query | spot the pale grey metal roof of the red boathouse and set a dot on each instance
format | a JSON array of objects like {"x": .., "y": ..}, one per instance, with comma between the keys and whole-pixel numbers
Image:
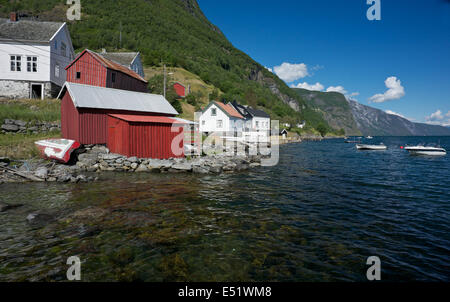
[{"x": 86, "y": 96}]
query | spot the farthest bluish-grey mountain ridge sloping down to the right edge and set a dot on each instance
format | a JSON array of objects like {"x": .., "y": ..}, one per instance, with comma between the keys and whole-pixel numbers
[{"x": 372, "y": 121}]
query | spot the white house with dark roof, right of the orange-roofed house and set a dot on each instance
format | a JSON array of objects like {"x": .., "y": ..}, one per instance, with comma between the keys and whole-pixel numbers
[{"x": 257, "y": 123}]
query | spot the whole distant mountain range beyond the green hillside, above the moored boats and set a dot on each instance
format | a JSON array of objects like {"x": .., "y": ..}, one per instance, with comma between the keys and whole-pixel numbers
[{"x": 357, "y": 119}]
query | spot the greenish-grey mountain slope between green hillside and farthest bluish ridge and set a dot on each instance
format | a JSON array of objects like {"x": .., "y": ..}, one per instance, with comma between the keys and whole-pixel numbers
[{"x": 334, "y": 107}]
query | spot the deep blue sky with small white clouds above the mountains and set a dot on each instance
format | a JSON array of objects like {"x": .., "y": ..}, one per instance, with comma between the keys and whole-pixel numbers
[{"x": 334, "y": 44}]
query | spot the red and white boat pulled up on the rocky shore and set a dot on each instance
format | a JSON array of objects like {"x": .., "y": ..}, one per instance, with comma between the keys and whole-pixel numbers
[{"x": 58, "y": 149}]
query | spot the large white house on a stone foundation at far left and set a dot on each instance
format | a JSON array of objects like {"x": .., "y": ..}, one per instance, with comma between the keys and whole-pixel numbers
[{"x": 33, "y": 56}]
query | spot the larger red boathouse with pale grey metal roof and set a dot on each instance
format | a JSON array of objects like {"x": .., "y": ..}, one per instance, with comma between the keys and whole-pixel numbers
[{"x": 84, "y": 110}]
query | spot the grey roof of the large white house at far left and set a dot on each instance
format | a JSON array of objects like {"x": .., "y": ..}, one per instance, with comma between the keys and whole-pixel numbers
[{"x": 27, "y": 30}]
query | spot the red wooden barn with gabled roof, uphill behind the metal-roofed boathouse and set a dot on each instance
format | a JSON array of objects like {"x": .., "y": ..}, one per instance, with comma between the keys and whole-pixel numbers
[{"x": 91, "y": 68}]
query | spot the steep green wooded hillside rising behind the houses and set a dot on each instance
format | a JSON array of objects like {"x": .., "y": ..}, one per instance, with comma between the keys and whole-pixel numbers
[{"x": 176, "y": 33}]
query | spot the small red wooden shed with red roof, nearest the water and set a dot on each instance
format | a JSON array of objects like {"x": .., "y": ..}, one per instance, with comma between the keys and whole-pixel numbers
[{"x": 145, "y": 136}]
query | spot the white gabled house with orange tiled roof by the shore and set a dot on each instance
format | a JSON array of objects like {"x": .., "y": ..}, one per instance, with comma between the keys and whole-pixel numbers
[{"x": 218, "y": 117}]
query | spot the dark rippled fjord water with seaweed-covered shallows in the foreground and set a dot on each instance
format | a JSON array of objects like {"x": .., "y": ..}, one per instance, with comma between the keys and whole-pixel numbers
[{"x": 317, "y": 216}]
